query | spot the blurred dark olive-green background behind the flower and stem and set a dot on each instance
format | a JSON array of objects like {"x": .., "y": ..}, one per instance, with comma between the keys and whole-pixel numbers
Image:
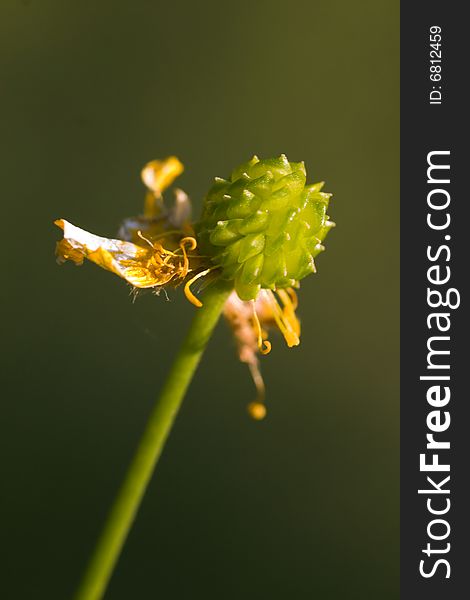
[{"x": 302, "y": 505}]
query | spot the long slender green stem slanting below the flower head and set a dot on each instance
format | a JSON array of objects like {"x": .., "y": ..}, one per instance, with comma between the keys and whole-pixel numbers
[{"x": 149, "y": 450}]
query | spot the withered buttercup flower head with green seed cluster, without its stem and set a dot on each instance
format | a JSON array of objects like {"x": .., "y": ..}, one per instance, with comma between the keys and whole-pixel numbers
[{"x": 260, "y": 229}]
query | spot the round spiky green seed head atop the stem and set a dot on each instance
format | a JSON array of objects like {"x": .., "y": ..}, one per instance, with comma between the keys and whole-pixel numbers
[{"x": 264, "y": 226}]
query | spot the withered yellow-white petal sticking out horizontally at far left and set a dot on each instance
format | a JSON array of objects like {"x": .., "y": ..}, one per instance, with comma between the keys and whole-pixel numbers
[{"x": 142, "y": 266}]
